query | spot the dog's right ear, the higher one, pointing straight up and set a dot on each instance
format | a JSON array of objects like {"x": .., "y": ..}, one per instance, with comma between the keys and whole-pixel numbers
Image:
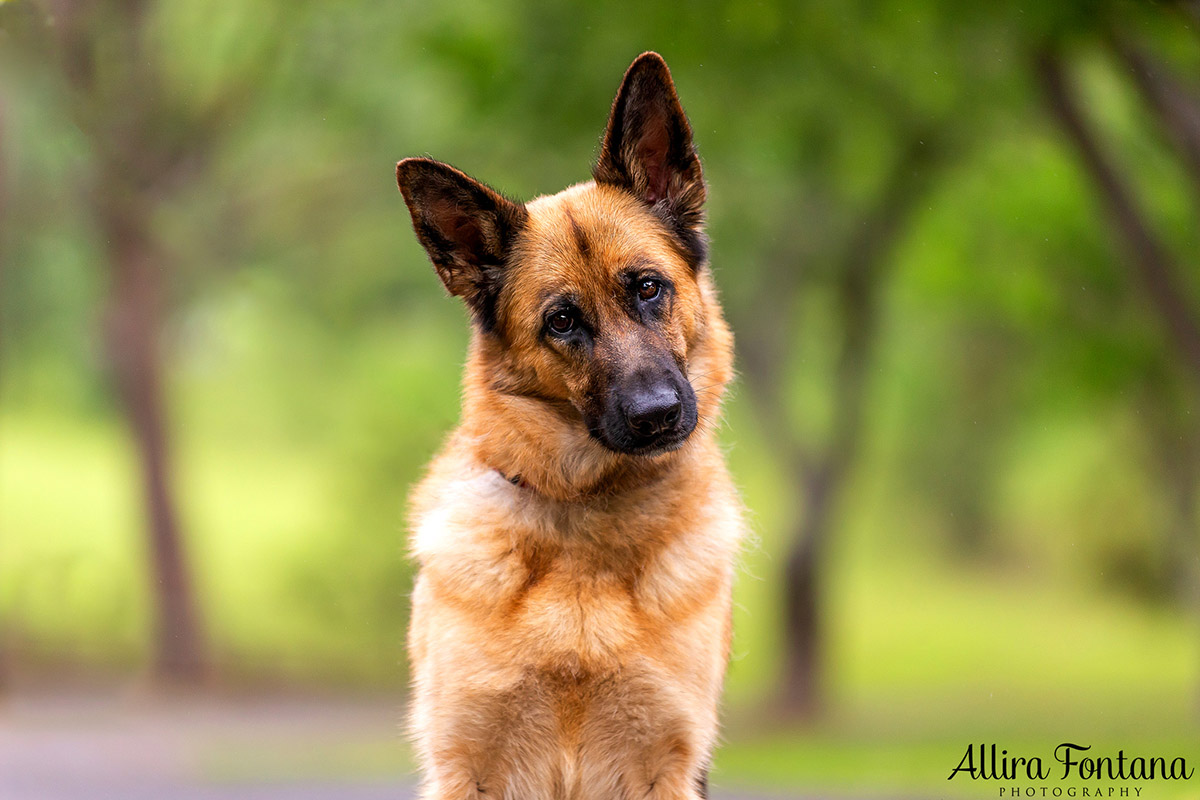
[{"x": 647, "y": 149}]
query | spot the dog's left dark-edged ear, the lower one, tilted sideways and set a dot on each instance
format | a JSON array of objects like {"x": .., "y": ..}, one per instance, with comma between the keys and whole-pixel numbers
[{"x": 466, "y": 228}]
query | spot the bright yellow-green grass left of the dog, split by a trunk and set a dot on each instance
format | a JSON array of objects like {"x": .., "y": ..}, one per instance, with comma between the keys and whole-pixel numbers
[{"x": 74, "y": 581}]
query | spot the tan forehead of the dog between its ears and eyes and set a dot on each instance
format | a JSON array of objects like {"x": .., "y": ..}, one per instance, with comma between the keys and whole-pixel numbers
[{"x": 585, "y": 238}]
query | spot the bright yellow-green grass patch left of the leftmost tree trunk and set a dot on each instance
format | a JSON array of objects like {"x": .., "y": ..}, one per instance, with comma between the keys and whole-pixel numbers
[{"x": 70, "y": 578}]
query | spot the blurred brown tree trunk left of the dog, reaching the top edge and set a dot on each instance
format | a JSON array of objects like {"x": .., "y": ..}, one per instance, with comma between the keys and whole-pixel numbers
[{"x": 141, "y": 158}]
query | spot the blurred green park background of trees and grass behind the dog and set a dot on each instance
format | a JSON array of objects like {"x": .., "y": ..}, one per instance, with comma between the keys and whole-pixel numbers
[{"x": 958, "y": 244}]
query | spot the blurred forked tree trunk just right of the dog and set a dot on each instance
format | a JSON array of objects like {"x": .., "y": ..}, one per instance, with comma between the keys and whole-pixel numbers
[{"x": 821, "y": 472}]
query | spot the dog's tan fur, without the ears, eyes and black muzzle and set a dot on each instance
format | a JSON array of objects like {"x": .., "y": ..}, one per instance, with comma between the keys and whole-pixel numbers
[{"x": 571, "y": 635}]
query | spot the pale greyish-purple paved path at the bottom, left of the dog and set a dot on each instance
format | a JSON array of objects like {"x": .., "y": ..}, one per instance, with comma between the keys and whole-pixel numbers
[{"x": 87, "y": 747}]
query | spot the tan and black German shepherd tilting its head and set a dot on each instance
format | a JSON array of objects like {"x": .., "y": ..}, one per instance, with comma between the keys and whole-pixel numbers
[{"x": 578, "y": 533}]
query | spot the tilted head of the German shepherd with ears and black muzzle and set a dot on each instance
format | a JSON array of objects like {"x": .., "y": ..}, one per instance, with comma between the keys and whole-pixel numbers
[{"x": 591, "y": 302}]
